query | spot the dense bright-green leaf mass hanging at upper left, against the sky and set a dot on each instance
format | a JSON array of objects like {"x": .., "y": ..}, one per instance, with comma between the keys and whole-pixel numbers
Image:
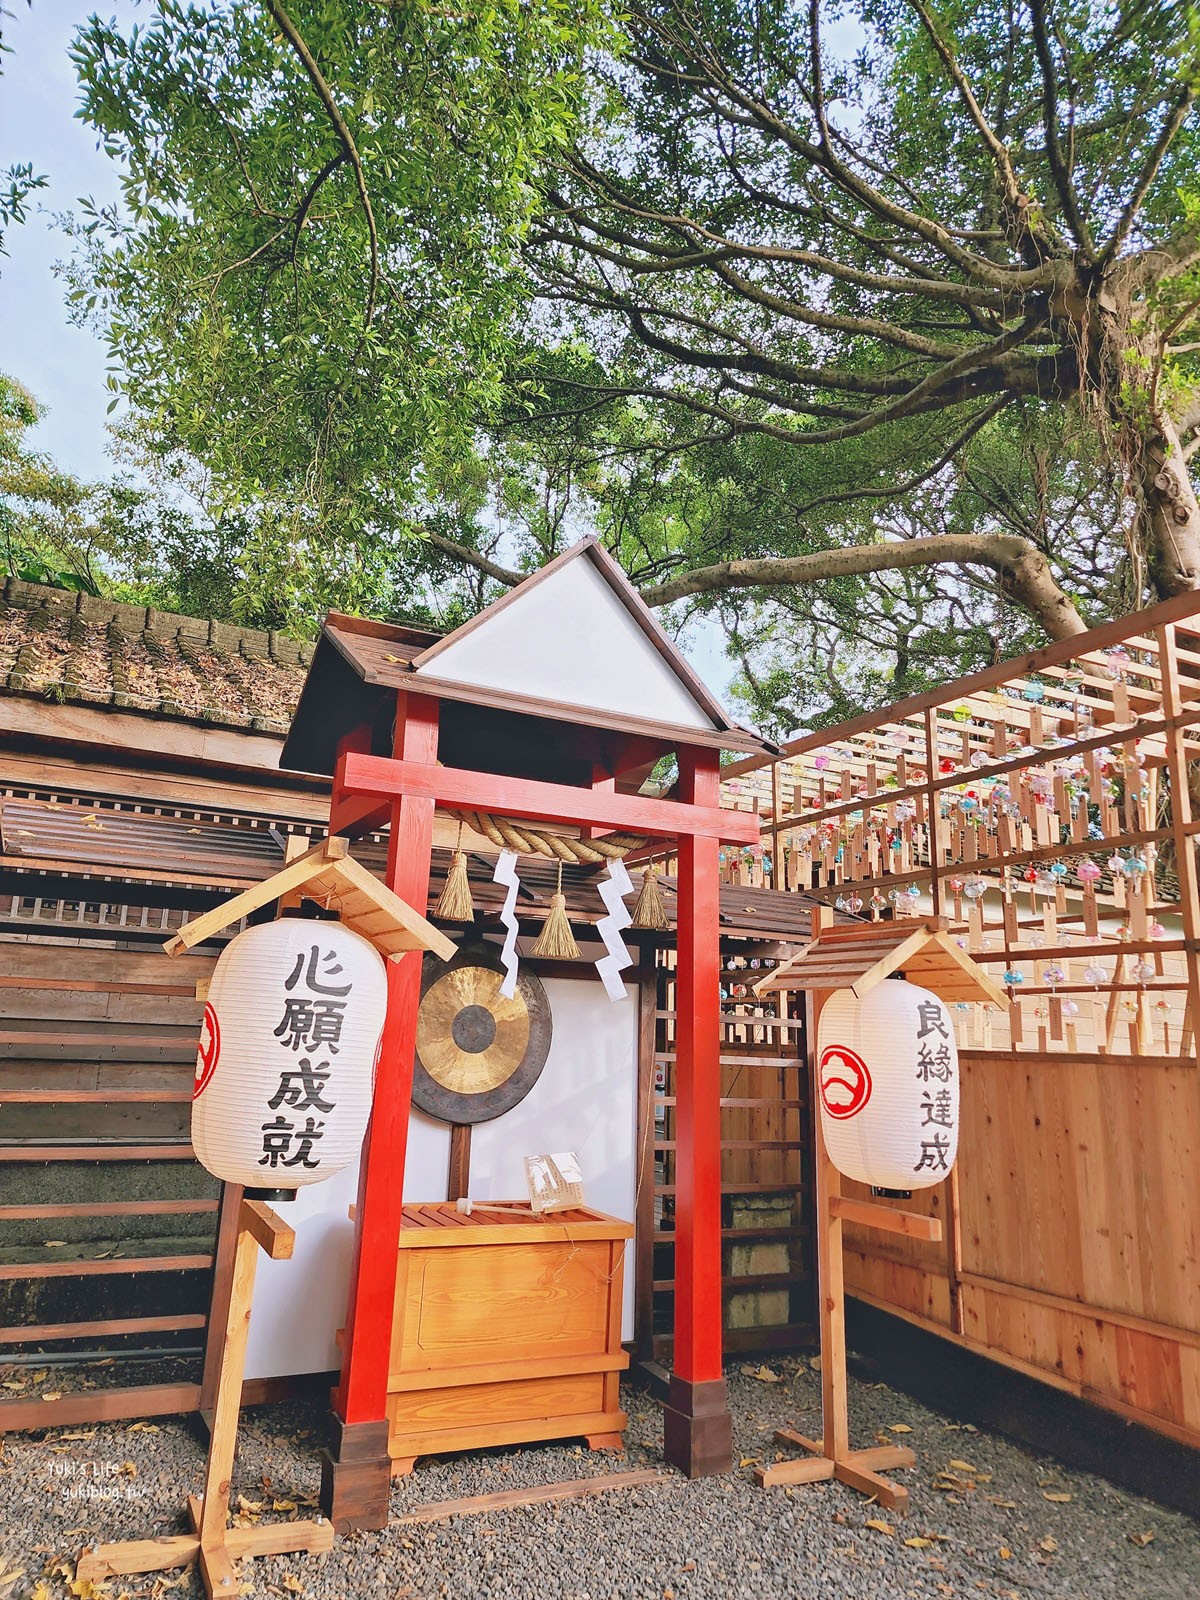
[{"x": 311, "y": 282}]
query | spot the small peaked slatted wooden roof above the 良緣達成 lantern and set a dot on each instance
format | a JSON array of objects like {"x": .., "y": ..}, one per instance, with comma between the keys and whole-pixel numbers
[{"x": 862, "y": 956}]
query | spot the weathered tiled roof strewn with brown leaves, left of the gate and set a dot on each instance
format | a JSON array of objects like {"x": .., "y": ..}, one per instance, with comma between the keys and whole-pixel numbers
[{"x": 81, "y": 649}]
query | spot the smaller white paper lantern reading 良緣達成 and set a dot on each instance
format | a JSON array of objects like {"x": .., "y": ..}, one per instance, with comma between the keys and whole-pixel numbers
[{"x": 889, "y": 1086}]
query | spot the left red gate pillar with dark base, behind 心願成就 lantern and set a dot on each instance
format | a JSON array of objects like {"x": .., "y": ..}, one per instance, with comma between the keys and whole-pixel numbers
[{"x": 356, "y": 1474}]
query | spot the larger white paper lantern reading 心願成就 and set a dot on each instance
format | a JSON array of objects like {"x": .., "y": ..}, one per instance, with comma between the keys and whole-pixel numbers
[{"x": 287, "y": 1058}]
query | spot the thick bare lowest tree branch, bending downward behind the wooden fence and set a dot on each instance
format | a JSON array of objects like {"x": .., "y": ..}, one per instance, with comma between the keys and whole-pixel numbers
[{"x": 1022, "y": 569}]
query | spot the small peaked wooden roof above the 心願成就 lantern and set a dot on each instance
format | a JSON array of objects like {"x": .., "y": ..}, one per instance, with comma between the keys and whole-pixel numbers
[{"x": 332, "y": 878}]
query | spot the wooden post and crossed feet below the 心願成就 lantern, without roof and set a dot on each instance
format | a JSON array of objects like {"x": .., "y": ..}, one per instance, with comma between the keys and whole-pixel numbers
[{"x": 212, "y": 1540}]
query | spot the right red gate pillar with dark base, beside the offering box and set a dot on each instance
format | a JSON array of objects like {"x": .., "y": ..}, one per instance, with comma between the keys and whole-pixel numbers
[{"x": 698, "y": 1430}]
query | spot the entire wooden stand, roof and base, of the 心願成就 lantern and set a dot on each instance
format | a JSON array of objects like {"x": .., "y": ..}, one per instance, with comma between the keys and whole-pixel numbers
[{"x": 329, "y": 874}]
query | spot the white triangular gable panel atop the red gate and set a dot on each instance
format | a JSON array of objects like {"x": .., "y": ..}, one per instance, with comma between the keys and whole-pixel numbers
[{"x": 570, "y": 639}]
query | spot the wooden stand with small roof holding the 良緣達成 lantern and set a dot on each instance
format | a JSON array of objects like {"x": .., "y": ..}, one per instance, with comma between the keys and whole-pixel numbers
[{"x": 858, "y": 958}]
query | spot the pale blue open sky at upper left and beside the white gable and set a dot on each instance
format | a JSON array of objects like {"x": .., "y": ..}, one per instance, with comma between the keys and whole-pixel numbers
[{"x": 62, "y": 364}]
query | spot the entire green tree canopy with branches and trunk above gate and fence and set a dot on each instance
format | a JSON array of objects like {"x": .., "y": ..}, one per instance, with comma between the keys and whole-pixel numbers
[{"x": 865, "y": 322}]
